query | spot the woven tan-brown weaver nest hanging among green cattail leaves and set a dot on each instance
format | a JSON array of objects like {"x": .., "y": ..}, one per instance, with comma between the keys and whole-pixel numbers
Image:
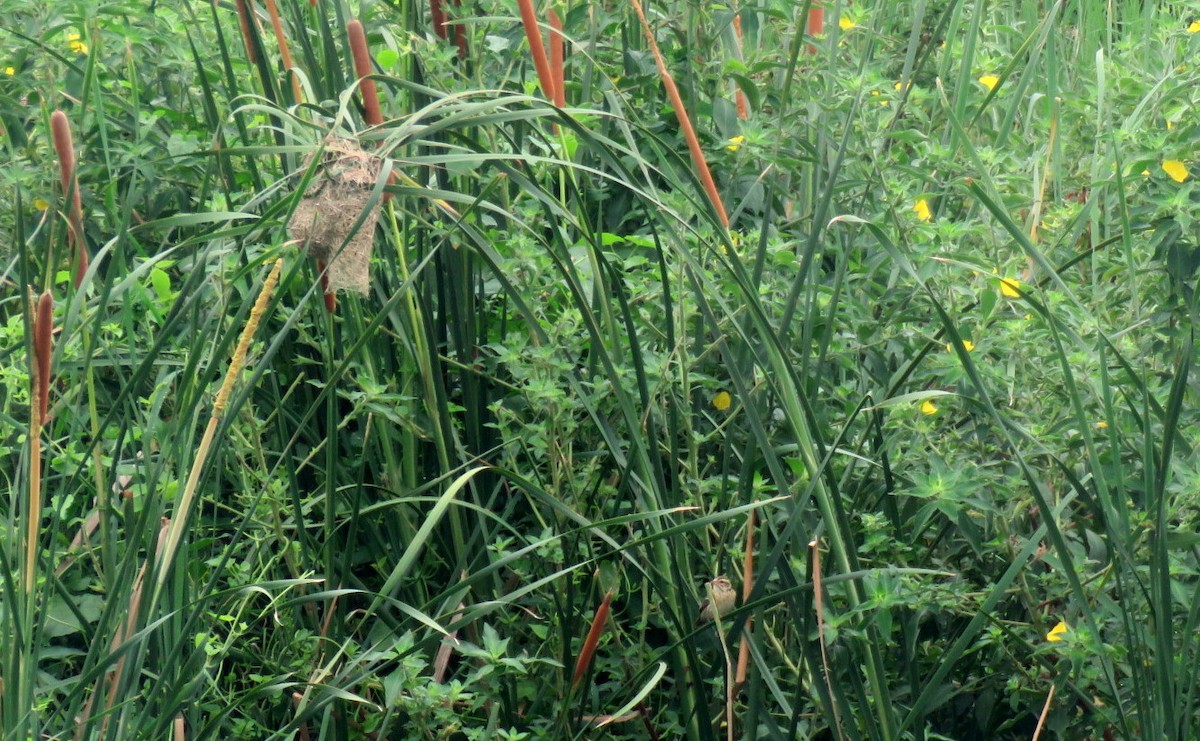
[{"x": 325, "y": 220}]
